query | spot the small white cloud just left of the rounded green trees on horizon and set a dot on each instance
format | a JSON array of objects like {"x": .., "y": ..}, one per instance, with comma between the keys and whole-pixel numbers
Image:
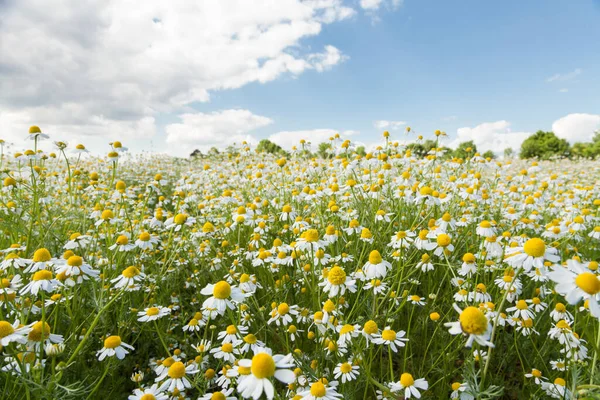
[{"x": 495, "y": 136}]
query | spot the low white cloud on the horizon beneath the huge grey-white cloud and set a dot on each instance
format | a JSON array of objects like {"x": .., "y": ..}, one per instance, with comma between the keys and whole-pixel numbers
[{"x": 219, "y": 129}]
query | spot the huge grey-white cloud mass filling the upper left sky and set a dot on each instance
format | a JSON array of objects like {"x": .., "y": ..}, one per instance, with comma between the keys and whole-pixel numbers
[{"x": 125, "y": 61}]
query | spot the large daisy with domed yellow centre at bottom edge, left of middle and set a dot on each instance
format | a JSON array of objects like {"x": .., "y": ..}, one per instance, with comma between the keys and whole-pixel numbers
[{"x": 262, "y": 367}]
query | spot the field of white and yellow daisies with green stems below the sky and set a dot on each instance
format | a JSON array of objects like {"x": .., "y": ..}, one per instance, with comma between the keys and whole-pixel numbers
[{"x": 246, "y": 275}]
